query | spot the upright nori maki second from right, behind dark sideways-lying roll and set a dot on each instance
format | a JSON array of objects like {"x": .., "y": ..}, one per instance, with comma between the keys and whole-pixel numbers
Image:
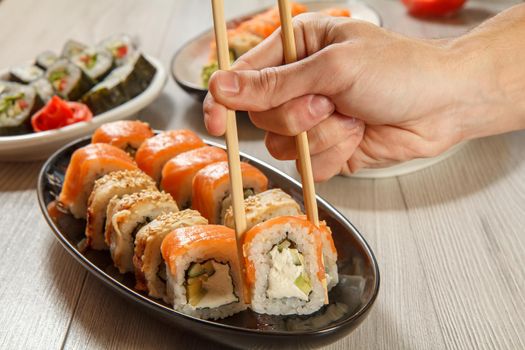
[{"x": 95, "y": 63}]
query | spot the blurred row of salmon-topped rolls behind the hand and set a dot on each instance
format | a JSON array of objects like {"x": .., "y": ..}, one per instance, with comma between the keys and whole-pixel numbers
[{"x": 245, "y": 35}]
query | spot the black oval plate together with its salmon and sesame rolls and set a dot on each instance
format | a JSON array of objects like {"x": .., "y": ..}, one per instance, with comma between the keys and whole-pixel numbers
[{"x": 149, "y": 213}]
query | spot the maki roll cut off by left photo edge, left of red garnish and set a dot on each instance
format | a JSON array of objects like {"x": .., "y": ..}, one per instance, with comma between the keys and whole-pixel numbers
[{"x": 17, "y": 103}]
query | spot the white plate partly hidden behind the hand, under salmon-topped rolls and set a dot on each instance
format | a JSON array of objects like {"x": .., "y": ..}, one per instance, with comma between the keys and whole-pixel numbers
[{"x": 187, "y": 63}]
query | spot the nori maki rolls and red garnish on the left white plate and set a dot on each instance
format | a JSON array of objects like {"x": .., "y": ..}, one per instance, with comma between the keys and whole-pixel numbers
[{"x": 58, "y": 90}]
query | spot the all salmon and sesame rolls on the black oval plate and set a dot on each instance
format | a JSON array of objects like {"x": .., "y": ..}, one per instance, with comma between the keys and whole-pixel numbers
[{"x": 160, "y": 203}]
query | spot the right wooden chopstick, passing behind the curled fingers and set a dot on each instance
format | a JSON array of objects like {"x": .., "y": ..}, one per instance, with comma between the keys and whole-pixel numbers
[{"x": 301, "y": 140}]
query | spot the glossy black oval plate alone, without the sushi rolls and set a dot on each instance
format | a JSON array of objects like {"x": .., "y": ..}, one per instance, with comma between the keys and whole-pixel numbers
[{"x": 350, "y": 300}]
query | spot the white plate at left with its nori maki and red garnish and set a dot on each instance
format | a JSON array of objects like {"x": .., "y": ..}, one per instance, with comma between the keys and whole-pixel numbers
[{"x": 58, "y": 97}]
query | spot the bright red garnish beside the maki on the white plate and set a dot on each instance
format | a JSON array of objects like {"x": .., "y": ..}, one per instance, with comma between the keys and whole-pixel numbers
[{"x": 58, "y": 113}]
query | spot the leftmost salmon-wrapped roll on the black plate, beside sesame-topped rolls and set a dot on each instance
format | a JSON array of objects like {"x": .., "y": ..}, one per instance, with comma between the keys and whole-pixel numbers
[{"x": 88, "y": 164}]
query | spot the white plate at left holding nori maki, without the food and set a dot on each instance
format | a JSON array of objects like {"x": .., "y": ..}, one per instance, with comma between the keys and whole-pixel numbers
[{"x": 40, "y": 145}]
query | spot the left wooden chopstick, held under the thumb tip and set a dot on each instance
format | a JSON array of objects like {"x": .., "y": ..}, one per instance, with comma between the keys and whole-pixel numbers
[{"x": 232, "y": 141}]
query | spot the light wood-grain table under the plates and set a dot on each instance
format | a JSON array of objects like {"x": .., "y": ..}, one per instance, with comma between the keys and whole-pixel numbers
[{"x": 450, "y": 239}]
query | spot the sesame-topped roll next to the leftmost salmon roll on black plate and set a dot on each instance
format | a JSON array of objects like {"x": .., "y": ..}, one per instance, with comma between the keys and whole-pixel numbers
[{"x": 113, "y": 185}]
